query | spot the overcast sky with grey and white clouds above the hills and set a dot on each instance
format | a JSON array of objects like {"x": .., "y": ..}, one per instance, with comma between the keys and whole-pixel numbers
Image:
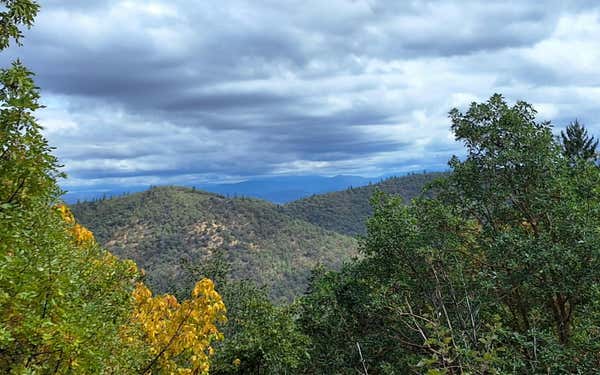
[{"x": 183, "y": 91}]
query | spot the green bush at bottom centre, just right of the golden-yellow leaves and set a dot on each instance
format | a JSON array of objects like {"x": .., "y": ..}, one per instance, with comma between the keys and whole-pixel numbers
[{"x": 259, "y": 337}]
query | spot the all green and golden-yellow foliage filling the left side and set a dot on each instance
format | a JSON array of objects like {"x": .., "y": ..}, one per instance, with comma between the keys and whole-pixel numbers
[{"x": 66, "y": 304}]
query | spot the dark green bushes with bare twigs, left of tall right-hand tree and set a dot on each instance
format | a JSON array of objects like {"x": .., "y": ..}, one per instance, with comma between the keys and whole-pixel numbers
[{"x": 396, "y": 302}]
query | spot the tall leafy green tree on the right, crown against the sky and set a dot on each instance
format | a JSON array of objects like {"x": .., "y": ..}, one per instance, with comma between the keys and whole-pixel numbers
[{"x": 535, "y": 210}]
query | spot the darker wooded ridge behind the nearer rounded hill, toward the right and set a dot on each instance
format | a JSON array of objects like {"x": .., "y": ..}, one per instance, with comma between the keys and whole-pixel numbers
[{"x": 347, "y": 211}]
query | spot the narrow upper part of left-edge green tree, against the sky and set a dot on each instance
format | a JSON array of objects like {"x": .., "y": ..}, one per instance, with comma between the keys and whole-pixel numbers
[{"x": 27, "y": 168}]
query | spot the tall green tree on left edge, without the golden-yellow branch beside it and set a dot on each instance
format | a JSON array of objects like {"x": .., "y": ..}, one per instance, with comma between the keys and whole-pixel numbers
[{"x": 62, "y": 300}]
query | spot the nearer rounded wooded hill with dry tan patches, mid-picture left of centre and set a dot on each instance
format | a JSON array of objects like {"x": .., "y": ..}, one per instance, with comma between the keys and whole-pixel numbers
[{"x": 164, "y": 228}]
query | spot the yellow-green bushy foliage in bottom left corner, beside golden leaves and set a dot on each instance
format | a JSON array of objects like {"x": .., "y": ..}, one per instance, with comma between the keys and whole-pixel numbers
[{"x": 62, "y": 301}]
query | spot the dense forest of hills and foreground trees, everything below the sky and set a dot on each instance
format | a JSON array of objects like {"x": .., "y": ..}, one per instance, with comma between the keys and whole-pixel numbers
[{"x": 493, "y": 268}]
